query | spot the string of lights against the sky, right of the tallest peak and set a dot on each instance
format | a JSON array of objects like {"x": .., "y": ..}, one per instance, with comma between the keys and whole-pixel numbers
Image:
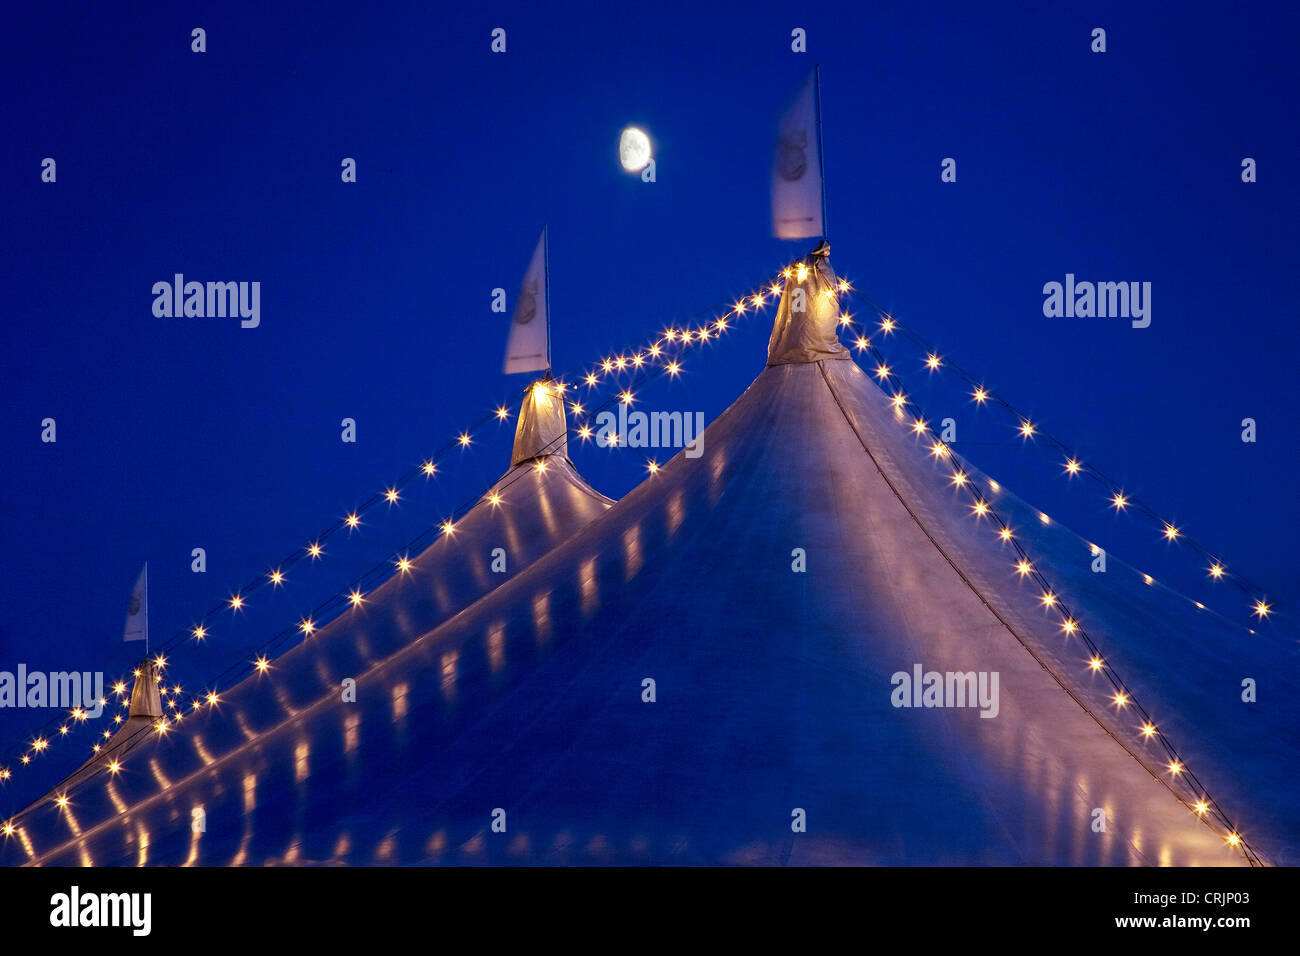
[{"x": 1030, "y": 431}]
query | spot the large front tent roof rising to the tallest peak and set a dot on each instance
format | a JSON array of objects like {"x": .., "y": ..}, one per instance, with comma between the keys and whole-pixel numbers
[{"x": 772, "y": 590}]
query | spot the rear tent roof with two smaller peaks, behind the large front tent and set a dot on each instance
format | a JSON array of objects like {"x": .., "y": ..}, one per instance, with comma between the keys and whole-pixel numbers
[{"x": 538, "y": 504}]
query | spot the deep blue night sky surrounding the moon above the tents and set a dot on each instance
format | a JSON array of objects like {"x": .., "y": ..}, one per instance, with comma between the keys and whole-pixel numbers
[{"x": 176, "y": 434}]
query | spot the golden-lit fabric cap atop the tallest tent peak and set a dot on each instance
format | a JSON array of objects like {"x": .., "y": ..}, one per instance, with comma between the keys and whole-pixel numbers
[{"x": 809, "y": 315}]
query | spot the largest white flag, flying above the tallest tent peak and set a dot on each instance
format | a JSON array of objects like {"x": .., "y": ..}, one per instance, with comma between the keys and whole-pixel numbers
[{"x": 798, "y": 171}]
